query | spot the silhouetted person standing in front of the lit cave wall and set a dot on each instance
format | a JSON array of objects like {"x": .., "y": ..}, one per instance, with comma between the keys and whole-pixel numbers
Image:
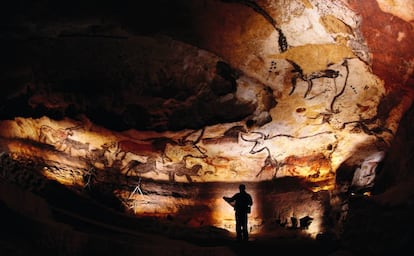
[{"x": 241, "y": 201}]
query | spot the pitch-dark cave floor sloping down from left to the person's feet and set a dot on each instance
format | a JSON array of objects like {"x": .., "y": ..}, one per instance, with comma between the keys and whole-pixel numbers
[{"x": 63, "y": 223}]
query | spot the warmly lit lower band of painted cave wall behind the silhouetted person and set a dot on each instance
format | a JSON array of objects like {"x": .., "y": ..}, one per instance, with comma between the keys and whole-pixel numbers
[{"x": 69, "y": 156}]
